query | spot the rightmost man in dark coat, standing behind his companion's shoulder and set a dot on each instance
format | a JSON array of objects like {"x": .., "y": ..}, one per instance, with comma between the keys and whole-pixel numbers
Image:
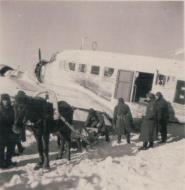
[{"x": 162, "y": 116}]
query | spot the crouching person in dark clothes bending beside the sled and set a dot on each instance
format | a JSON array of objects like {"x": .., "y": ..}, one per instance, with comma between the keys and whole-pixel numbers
[{"x": 96, "y": 120}]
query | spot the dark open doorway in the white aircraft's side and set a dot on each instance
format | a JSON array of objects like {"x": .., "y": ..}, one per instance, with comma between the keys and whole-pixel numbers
[{"x": 143, "y": 84}]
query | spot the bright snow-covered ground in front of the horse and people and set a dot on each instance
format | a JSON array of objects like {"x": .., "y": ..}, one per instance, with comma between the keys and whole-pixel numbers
[{"x": 105, "y": 166}]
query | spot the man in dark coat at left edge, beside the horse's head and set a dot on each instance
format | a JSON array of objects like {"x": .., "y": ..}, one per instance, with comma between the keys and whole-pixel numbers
[{"x": 7, "y": 137}]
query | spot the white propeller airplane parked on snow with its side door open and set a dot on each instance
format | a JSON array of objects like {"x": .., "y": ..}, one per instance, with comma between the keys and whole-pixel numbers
[{"x": 104, "y": 76}]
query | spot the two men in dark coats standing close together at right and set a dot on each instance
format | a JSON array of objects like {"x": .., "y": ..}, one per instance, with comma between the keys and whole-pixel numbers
[{"x": 155, "y": 120}]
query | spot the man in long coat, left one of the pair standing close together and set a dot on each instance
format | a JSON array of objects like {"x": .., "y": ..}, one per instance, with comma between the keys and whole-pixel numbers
[{"x": 148, "y": 127}]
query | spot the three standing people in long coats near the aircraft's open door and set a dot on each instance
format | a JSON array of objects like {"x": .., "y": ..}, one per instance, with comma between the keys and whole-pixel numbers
[{"x": 155, "y": 120}]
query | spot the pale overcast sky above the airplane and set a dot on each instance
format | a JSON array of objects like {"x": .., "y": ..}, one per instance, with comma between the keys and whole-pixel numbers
[{"x": 143, "y": 28}]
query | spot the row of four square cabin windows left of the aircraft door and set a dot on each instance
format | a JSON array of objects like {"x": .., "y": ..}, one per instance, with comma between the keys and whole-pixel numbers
[{"x": 95, "y": 70}]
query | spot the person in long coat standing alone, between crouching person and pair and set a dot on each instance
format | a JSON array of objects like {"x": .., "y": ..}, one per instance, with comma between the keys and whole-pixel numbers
[{"x": 122, "y": 120}]
